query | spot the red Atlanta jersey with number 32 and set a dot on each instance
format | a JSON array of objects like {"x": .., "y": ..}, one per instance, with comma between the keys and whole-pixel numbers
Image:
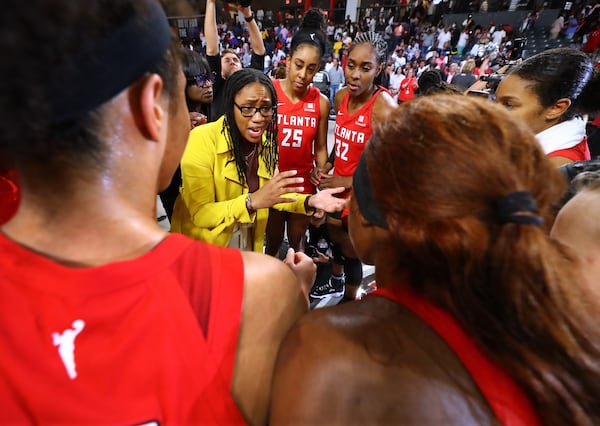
[{"x": 351, "y": 133}]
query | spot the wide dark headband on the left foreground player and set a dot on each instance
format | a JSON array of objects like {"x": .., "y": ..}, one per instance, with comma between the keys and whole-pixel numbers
[{"x": 100, "y": 72}]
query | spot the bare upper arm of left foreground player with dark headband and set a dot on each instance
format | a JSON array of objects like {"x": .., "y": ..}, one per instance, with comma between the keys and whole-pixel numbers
[{"x": 272, "y": 302}]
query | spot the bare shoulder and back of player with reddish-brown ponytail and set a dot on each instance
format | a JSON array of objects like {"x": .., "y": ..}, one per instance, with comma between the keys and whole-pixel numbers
[{"x": 378, "y": 363}]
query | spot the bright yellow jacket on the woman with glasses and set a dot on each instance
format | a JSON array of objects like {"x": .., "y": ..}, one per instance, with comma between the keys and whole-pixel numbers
[{"x": 212, "y": 199}]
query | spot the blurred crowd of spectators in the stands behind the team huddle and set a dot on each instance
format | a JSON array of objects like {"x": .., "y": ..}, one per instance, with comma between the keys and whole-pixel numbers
[{"x": 418, "y": 40}]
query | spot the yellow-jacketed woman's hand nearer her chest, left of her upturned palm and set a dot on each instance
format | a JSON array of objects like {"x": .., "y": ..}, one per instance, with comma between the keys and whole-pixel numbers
[{"x": 273, "y": 191}]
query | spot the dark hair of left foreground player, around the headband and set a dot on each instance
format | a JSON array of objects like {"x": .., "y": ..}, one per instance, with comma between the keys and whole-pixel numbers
[{"x": 41, "y": 37}]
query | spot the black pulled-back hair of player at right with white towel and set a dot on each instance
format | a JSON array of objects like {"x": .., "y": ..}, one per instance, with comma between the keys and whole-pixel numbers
[{"x": 562, "y": 73}]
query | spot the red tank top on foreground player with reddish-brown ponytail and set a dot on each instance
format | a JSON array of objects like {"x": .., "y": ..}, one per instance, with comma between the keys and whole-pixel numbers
[{"x": 506, "y": 399}]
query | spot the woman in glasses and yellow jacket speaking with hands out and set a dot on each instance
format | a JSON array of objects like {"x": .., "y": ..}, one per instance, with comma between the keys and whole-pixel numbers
[{"x": 229, "y": 171}]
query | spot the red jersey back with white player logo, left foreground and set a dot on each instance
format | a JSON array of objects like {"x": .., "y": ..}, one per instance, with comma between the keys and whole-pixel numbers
[{"x": 149, "y": 340}]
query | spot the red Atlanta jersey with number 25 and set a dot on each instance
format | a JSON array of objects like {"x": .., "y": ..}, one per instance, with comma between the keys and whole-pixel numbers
[{"x": 298, "y": 125}]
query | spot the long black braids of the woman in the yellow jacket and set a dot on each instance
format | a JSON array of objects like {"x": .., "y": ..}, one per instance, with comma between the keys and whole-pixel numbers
[{"x": 268, "y": 150}]
